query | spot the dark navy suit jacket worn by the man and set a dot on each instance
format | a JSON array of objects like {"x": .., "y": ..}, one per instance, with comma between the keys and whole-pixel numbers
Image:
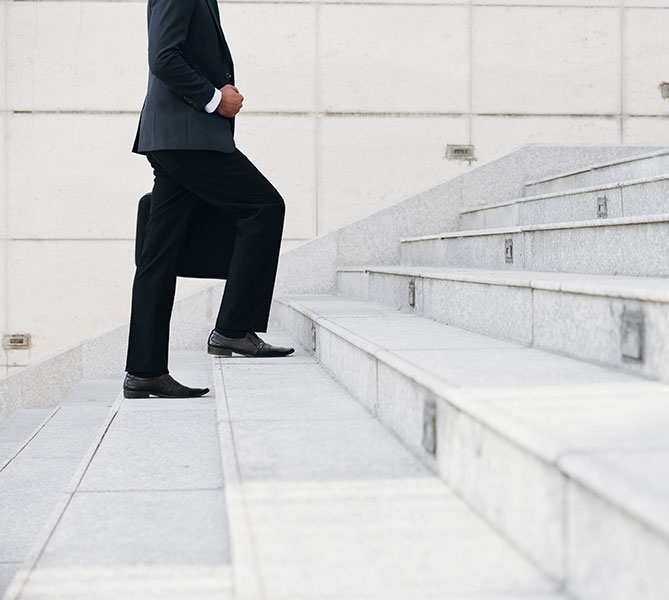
[{"x": 188, "y": 59}]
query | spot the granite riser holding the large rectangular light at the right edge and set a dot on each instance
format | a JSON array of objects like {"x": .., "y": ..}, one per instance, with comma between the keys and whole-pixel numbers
[{"x": 576, "y": 325}]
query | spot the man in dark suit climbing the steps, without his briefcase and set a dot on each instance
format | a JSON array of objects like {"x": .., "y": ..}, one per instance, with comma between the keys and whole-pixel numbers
[{"x": 186, "y": 131}]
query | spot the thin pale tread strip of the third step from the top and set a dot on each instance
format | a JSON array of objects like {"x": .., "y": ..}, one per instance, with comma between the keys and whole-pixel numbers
[{"x": 613, "y": 222}]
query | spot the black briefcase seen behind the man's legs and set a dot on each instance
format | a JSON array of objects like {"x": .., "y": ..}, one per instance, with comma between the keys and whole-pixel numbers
[{"x": 208, "y": 241}]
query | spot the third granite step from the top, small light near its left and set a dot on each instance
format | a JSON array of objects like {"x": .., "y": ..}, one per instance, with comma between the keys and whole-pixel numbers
[{"x": 636, "y": 246}]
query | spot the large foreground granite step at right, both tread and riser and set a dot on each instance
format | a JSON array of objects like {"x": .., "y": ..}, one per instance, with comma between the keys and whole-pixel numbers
[{"x": 567, "y": 460}]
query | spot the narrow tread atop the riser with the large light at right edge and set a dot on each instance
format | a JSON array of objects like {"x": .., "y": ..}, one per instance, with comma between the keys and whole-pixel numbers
[{"x": 648, "y": 289}]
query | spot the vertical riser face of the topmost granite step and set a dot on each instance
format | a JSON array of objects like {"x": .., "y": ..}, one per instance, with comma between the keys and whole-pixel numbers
[{"x": 647, "y": 167}]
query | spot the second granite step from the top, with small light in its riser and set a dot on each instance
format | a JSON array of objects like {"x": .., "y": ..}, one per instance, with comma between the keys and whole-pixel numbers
[{"x": 626, "y": 199}]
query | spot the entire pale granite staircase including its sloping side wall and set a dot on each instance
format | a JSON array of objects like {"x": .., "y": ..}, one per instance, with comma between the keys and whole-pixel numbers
[{"x": 477, "y": 409}]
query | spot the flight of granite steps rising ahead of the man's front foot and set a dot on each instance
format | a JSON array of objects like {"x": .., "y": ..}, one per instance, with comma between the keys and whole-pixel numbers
[{"x": 524, "y": 358}]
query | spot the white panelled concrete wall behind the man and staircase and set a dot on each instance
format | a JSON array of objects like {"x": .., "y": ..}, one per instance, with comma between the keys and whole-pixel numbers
[{"x": 349, "y": 108}]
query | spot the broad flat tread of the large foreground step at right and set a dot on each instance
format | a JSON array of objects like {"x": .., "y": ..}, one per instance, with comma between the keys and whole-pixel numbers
[{"x": 521, "y": 393}]
